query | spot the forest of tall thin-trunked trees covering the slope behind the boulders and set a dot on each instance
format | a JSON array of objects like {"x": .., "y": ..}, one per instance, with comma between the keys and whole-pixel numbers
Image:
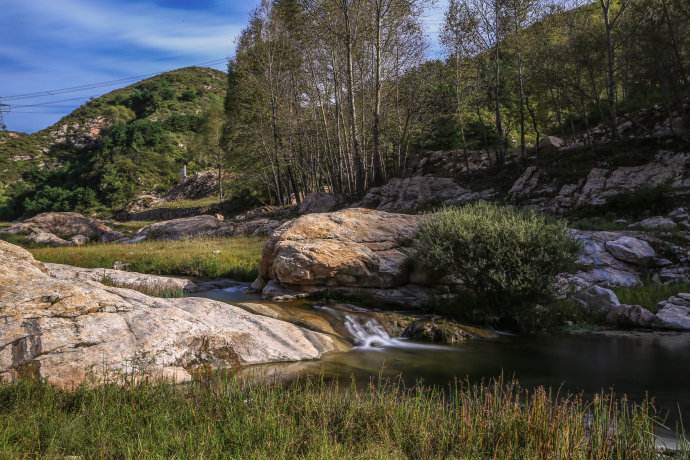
[{"x": 337, "y": 94}]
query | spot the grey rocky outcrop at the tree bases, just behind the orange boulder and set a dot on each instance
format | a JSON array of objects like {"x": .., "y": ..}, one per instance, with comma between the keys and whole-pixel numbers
[{"x": 419, "y": 193}]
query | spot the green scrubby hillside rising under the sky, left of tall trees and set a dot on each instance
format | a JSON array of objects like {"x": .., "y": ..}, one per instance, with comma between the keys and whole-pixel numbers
[{"x": 130, "y": 140}]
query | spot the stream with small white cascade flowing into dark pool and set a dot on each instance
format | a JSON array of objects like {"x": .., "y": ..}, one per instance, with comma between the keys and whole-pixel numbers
[{"x": 637, "y": 364}]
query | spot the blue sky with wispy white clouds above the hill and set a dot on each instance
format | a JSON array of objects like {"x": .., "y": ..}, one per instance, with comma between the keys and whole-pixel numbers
[{"x": 51, "y": 44}]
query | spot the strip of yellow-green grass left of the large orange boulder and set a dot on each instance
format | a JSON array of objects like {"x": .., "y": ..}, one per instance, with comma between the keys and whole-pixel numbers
[{"x": 236, "y": 258}]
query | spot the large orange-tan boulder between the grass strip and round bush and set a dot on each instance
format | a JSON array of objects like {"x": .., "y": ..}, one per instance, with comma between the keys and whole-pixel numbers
[{"x": 355, "y": 251}]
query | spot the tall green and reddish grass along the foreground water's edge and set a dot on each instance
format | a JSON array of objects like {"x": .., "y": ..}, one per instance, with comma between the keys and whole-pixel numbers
[{"x": 310, "y": 419}]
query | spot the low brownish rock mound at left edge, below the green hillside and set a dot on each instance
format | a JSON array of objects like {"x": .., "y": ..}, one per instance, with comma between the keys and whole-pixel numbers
[{"x": 63, "y": 228}]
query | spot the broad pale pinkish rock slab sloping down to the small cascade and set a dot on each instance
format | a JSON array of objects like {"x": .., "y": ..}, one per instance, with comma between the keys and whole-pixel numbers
[{"x": 76, "y": 331}]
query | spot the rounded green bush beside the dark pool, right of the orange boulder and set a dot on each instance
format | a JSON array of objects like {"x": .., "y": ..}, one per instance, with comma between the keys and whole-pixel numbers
[{"x": 505, "y": 259}]
